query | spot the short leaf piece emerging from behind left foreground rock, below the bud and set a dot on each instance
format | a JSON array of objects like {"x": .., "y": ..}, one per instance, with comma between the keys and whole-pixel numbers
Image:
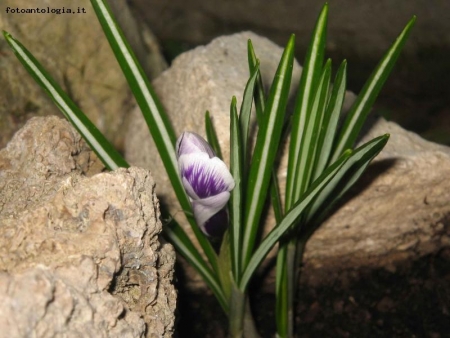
[{"x": 184, "y": 246}]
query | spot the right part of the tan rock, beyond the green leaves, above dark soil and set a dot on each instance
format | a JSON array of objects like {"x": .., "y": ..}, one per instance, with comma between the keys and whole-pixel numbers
[{"x": 398, "y": 211}]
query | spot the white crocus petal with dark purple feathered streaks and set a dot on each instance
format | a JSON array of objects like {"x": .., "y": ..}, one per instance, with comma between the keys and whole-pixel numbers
[{"x": 206, "y": 176}]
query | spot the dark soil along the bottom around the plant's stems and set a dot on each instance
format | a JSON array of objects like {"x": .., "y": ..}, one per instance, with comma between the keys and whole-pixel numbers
[{"x": 412, "y": 301}]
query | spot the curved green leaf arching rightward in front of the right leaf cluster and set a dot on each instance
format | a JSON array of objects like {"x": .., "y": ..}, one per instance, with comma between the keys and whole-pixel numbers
[{"x": 290, "y": 219}]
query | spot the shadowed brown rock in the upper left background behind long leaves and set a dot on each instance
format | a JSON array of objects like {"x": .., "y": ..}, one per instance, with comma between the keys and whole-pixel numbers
[{"x": 73, "y": 48}]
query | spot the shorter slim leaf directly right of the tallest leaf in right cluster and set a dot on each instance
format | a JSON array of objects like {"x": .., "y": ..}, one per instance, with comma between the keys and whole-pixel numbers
[{"x": 311, "y": 132}]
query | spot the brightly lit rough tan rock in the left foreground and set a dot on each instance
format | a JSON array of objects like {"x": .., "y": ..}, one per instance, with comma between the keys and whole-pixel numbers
[{"x": 79, "y": 256}]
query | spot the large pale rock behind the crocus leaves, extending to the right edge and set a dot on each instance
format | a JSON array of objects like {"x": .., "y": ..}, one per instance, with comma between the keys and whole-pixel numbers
[{"x": 402, "y": 208}]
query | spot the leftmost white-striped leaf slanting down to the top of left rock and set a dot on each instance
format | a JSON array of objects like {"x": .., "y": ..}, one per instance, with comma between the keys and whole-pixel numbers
[{"x": 98, "y": 143}]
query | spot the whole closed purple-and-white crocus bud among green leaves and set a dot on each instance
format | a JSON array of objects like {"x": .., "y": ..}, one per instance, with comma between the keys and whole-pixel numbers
[{"x": 207, "y": 182}]
